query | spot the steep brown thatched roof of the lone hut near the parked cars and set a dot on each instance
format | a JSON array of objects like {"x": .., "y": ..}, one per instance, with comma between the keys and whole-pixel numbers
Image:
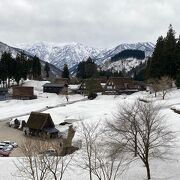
[{"x": 40, "y": 121}]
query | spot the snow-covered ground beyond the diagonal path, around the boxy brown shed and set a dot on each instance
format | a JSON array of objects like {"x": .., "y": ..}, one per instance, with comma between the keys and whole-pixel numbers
[{"x": 15, "y": 108}]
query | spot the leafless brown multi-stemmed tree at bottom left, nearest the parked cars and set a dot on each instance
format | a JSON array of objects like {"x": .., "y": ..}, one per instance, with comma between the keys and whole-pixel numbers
[{"x": 42, "y": 160}]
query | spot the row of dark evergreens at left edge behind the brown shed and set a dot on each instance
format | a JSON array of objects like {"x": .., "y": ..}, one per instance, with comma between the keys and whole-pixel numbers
[{"x": 20, "y": 67}]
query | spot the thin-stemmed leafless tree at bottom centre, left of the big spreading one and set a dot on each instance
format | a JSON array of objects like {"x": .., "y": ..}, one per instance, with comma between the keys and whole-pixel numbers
[{"x": 96, "y": 156}]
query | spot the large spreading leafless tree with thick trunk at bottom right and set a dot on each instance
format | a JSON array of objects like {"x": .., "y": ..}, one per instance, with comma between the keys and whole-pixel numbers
[{"x": 147, "y": 133}]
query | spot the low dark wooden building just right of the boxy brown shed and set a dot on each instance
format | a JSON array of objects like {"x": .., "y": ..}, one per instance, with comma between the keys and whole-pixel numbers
[{"x": 55, "y": 88}]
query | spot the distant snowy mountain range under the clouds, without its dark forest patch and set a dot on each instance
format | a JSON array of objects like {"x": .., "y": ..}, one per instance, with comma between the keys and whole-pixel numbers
[{"x": 73, "y": 53}]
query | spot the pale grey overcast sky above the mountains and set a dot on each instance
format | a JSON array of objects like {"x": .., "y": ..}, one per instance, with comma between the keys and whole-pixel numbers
[{"x": 97, "y": 23}]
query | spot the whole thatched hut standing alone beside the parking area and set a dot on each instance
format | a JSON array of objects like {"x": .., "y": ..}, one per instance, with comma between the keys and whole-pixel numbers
[{"x": 41, "y": 124}]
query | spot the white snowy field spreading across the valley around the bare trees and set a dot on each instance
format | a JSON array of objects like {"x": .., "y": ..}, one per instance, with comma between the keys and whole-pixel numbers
[{"x": 91, "y": 111}]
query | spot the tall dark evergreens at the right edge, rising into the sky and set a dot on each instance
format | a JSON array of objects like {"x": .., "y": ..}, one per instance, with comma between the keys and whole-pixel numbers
[{"x": 165, "y": 60}]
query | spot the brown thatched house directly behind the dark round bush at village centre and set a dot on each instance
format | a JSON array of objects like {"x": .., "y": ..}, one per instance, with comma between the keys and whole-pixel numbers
[{"x": 90, "y": 85}]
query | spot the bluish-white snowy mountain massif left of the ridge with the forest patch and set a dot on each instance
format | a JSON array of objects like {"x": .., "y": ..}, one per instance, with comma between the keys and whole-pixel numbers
[{"x": 59, "y": 54}]
